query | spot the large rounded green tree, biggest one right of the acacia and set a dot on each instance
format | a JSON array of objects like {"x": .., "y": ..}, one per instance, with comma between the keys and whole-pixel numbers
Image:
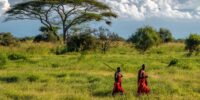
[{"x": 145, "y": 38}]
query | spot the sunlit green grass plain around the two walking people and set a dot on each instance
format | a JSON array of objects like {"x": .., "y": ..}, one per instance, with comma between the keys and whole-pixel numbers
[{"x": 83, "y": 76}]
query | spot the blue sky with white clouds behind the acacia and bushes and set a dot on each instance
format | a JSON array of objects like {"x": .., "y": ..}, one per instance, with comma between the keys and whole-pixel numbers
[{"x": 182, "y": 17}]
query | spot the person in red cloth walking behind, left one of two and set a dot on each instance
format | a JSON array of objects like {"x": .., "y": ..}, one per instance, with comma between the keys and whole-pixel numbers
[{"x": 118, "y": 82}]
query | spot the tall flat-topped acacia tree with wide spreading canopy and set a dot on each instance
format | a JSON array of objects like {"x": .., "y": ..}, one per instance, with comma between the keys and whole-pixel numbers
[{"x": 64, "y": 13}]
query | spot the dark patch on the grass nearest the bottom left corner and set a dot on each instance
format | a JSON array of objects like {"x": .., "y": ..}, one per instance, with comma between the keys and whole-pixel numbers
[{"x": 9, "y": 79}]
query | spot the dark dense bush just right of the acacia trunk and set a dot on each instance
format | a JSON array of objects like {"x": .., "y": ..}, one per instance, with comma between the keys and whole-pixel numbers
[{"x": 81, "y": 42}]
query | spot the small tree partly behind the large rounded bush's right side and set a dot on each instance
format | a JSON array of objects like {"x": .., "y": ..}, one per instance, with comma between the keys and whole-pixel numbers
[{"x": 165, "y": 35}]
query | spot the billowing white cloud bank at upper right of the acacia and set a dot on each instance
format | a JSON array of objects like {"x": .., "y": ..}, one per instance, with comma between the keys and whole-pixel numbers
[{"x": 142, "y": 9}]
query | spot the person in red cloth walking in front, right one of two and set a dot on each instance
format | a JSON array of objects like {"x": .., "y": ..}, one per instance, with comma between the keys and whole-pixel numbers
[{"x": 142, "y": 82}]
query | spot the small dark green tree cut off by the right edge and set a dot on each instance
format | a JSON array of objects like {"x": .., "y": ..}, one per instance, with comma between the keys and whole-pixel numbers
[{"x": 193, "y": 43}]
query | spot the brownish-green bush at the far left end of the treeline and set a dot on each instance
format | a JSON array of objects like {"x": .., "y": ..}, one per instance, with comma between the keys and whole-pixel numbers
[{"x": 7, "y": 39}]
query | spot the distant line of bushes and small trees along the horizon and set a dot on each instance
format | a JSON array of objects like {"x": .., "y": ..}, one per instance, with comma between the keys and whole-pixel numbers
[{"x": 87, "y": 38}]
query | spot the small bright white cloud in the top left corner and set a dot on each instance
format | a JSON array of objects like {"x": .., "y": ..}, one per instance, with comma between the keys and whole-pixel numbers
[{"x": 4, "y": 5}]
